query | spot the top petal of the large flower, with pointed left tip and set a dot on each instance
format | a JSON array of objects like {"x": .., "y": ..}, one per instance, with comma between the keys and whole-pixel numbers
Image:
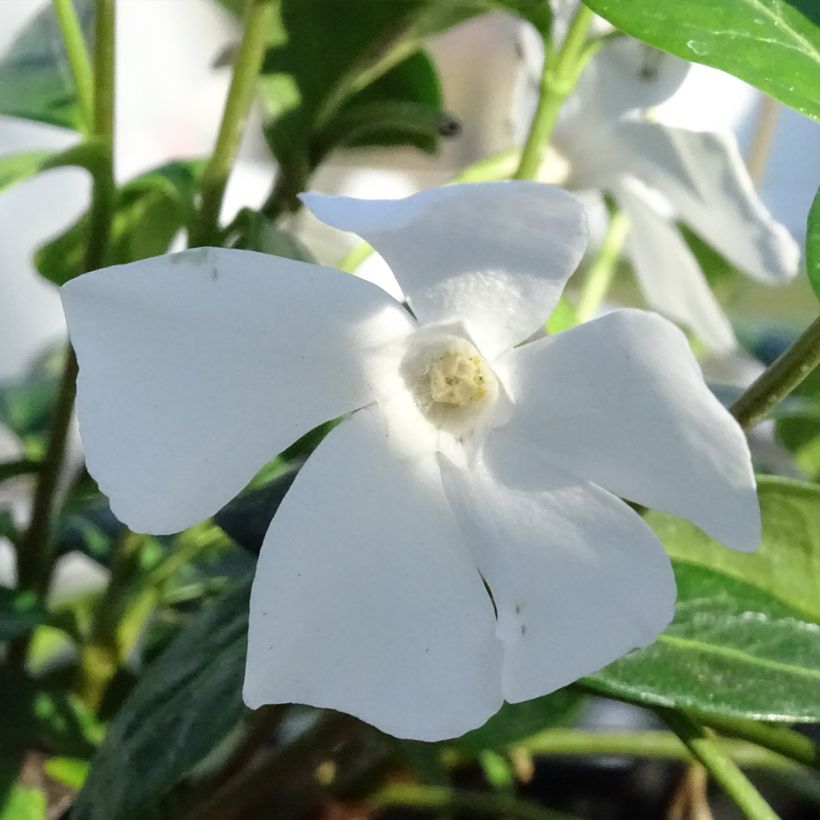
[{"x": 493, "y": 255}]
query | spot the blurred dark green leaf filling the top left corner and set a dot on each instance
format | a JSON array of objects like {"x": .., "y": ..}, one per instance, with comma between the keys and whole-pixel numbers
[{"x": 35, "y": 79}]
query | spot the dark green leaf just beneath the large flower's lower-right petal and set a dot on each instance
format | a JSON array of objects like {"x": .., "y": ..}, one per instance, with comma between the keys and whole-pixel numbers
[{"x": 517, "y": 721}]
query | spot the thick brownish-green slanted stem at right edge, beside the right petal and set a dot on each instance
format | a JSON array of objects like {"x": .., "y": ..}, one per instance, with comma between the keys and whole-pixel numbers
[{"x": 780, "y": 378}]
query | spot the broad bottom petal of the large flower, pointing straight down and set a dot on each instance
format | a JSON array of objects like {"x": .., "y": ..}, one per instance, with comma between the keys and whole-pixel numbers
[{"x": 366, "y": 598}]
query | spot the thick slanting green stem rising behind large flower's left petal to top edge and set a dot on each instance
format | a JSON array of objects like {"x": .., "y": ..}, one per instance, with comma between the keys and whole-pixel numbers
[{"x": 258, "y": 22}]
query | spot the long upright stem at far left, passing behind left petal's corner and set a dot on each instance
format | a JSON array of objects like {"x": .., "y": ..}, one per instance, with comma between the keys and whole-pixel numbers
[{"x": 36, "y": 553}]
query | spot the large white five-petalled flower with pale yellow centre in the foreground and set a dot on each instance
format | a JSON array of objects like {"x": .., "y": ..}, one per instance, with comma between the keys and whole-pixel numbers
[{"x": 466, "y": 458}]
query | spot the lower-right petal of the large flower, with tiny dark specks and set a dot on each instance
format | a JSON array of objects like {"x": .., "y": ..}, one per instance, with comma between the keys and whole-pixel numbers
[{"x": 577, "y": 577}]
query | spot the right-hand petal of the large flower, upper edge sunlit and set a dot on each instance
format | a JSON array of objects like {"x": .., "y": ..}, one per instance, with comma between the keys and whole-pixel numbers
[{"x": 620, "y": 401}]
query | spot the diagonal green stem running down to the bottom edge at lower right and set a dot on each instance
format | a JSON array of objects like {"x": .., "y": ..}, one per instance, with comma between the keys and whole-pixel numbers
[{"x": 720, "y": 766}]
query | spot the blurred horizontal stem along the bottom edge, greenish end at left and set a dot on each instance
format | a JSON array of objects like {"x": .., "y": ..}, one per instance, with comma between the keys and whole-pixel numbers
[{"x": 447, "y": 798}]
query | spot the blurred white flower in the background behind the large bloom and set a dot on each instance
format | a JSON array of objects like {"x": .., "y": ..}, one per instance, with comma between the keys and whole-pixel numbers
[{"x": 605, "y": 141}]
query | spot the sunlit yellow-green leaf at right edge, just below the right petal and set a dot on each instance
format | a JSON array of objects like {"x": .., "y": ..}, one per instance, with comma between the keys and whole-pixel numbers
[{"x": 787, "y": 564}]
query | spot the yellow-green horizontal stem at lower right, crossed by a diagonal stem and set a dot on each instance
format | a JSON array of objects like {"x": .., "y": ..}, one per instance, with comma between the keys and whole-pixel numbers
[{"x": 649, "y": 744}]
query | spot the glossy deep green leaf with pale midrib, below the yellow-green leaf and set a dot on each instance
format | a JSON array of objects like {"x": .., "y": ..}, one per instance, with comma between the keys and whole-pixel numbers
[{"x": 732, "y": 650}]
